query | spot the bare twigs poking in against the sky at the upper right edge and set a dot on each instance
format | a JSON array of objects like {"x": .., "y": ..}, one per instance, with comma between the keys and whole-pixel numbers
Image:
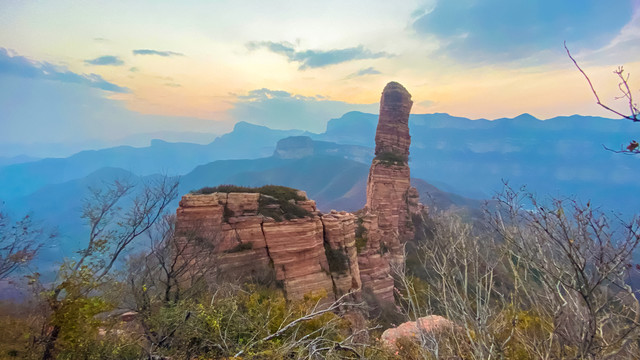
[{"x": 626, "y": 94}]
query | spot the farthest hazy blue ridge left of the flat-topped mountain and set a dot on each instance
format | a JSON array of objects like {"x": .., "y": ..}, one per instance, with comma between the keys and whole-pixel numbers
[{"x": 245, "y": 141}]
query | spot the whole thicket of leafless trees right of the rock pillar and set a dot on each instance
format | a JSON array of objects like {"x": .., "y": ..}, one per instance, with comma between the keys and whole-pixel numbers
[{"x": 545, "y": 281}]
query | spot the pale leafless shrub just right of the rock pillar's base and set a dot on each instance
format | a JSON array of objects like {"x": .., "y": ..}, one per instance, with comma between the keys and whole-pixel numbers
[{"x": 461, "y": 267}]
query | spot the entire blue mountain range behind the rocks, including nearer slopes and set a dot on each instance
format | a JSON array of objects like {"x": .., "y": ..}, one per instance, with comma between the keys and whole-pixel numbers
[{"x": 456, "y": 162}]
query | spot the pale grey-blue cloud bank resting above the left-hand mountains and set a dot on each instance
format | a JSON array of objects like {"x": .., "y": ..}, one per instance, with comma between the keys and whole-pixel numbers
[{"x": 37, "y": 112}]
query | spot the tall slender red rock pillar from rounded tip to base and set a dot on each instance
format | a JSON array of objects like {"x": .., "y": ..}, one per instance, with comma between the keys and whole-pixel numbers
[{"x": 390, "y": 198}]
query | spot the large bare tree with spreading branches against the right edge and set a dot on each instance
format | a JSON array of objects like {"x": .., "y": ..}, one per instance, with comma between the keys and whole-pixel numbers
[{"x": 577, "y": 263}]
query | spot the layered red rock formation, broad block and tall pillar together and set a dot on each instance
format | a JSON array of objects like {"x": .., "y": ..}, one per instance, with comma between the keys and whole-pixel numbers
[{"x": 257, "y": 234}]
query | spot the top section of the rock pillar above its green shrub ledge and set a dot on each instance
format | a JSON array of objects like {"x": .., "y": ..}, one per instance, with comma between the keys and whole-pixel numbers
[{"x": 392, "y": 134}]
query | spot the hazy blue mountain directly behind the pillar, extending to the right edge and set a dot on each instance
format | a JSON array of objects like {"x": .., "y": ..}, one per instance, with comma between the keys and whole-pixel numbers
[{"x": 562, "y": 156}]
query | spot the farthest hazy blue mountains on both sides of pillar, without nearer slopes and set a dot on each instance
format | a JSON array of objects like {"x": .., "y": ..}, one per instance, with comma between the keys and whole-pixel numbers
[{"x": 562, "y": 156}]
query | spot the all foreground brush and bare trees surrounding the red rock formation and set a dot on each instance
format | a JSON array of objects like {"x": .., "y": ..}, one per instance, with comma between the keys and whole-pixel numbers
[{"x": 533, "y": 280}]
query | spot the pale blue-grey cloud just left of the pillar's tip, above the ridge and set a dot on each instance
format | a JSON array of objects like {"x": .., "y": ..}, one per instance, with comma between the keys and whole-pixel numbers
[{"x": 281, "y": 109}]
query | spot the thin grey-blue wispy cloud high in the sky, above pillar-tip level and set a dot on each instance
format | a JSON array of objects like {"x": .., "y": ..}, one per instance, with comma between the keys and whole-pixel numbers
[{"x": 316, "y": 58}]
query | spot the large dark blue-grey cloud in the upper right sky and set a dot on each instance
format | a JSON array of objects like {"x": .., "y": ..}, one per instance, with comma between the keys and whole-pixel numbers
[{"x": 514, "y": 29}]
